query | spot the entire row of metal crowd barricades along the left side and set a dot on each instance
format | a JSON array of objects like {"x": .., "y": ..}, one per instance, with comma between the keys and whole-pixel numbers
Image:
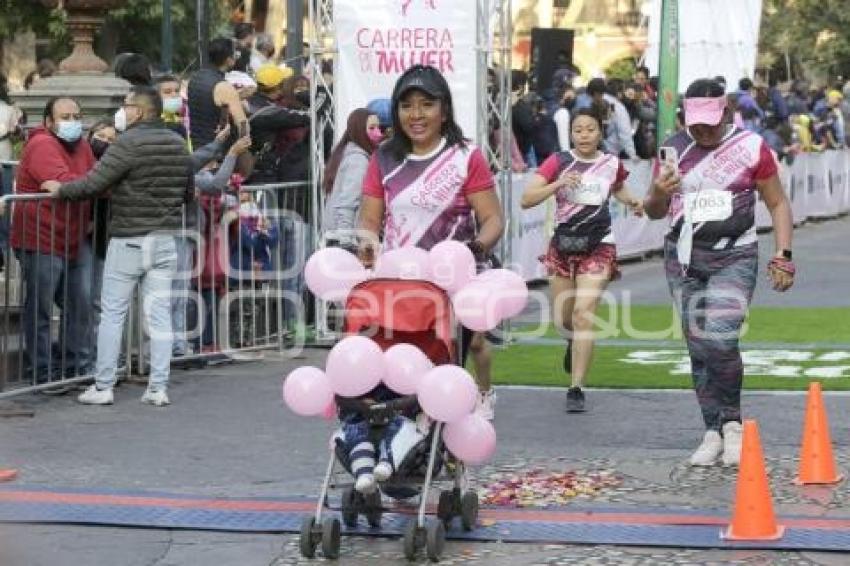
[{"x": 238, "y": 288}]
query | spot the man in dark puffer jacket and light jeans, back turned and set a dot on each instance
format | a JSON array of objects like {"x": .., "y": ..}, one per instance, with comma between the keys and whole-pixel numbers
[{"x": 148, "y": 171}]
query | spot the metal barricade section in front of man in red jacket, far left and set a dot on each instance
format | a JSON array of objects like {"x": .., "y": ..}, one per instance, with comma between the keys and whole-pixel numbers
[{"x": 47, "y": 310}]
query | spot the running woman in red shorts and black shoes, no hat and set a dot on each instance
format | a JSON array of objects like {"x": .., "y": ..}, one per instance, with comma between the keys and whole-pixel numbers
[{"x": 582, "y": 256}]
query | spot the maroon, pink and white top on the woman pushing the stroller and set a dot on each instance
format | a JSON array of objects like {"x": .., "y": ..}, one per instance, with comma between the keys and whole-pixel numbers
[{"x": 425, "y": 196}]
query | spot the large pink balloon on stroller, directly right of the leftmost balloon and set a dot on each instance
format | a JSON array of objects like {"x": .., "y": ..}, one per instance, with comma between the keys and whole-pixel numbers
[{"x": 355, "y": 366}]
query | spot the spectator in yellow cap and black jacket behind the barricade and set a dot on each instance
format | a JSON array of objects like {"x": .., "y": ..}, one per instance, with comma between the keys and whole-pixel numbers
[{"x": 268, "y": 119}]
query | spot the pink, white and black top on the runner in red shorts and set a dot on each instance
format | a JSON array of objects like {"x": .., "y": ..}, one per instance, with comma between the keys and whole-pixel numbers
[{"x": 587, "y": 205}]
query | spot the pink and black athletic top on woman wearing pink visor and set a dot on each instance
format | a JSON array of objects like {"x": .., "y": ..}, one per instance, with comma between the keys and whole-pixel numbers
[{"x": 741, "y": 159}]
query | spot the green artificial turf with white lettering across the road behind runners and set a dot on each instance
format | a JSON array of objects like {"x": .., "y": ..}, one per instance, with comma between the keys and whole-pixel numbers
[{"x": 773, "y": 366}]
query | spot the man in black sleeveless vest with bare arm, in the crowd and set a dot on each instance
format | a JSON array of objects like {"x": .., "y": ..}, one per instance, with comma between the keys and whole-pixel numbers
[{"x": 209, "y": 93}]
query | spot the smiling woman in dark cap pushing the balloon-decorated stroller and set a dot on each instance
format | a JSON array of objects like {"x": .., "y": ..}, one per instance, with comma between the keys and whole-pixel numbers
[{"x": 427, "y": 184}]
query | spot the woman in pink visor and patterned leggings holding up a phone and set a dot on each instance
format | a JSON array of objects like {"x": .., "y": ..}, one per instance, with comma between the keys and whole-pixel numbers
[{"x": 707, "y": 188}]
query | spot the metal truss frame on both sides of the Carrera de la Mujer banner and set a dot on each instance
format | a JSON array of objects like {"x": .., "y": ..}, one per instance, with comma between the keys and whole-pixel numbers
[{"x": 494, "y": 31}]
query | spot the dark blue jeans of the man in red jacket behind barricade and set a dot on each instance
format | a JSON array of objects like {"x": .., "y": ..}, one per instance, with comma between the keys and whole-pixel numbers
[{"x": 50, "y": 280}]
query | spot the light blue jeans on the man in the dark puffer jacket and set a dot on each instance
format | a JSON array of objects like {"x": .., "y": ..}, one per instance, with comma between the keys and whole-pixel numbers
[{"x": 151, "y": 261}]
